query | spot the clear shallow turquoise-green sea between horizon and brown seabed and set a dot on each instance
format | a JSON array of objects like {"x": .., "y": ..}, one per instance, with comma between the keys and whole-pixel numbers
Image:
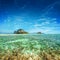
[{"x": 30, "y": 42}]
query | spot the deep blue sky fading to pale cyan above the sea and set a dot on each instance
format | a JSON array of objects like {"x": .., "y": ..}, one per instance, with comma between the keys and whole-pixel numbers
[{"x": 30, "y": 15}]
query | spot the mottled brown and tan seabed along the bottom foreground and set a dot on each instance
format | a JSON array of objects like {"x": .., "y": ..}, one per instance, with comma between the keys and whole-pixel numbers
[{"x": 15, "y": 55}]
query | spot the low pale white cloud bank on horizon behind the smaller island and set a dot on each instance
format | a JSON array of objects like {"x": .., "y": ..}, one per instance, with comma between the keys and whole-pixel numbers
[{"x": 46, "y": 30}]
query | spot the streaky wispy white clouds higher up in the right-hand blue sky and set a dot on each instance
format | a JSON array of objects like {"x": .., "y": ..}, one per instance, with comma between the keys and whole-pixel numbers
[{"x": 46, "y": 22}]
